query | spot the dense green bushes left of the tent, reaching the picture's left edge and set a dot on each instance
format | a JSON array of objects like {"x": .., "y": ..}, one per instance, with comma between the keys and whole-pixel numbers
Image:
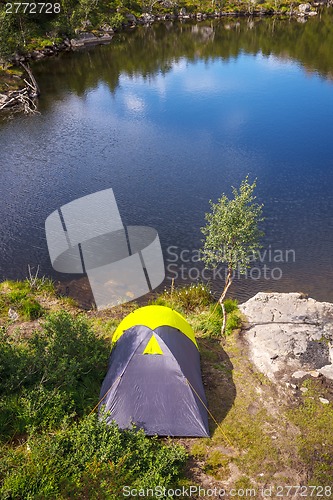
[{"x": 57, "y": 372}]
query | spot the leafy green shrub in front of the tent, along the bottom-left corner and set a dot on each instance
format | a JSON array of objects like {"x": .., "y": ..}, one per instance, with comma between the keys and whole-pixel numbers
[{"x": 89, "y": 459}]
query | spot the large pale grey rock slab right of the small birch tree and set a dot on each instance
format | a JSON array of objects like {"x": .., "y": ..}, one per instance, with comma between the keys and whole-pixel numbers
[{"x": 288, "y": 332}]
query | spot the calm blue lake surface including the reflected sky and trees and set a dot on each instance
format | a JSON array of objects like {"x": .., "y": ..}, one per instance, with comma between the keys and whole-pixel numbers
[{"x": 171, "y": 116}]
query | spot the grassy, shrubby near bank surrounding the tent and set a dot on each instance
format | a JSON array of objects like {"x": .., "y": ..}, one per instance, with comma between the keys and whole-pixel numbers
[{"x": 53, "y": 357}]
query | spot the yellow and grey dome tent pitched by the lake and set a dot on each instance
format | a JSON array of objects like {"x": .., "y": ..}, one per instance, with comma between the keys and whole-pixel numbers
[{"x": 154, "y": 377}]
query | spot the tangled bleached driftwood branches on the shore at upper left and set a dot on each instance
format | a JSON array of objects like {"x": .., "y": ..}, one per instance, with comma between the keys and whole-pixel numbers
[{"x": 22, "y": 99}]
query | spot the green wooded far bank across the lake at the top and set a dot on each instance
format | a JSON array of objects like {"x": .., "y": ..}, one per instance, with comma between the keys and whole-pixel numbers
[{"x": 25, "y": 28}]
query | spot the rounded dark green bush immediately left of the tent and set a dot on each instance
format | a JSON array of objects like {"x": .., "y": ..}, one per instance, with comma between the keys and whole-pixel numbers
[{"x": 68, "y": 355}]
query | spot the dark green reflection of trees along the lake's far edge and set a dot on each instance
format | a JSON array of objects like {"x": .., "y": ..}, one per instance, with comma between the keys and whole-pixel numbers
[{"x": 147, "y": 51}]
